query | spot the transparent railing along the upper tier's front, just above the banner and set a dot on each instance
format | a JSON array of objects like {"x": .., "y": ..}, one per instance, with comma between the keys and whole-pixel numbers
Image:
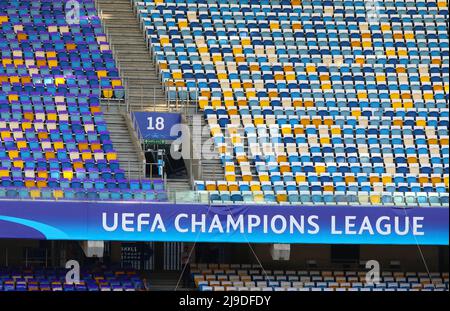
[{"x": 396, "y": 199}]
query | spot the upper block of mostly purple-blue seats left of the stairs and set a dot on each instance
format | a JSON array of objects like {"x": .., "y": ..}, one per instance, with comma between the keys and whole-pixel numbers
[{"x": 54, "y": 139}]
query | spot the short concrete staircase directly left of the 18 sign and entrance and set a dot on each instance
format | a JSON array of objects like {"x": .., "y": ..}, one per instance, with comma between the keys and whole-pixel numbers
[{"x": 130, "y": 155}]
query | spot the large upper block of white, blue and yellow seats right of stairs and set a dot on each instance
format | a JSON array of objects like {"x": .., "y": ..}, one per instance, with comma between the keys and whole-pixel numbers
[{"x": 313, "y": 101}]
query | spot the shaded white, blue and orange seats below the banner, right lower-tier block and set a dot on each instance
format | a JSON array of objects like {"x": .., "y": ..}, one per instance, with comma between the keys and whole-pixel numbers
[{"x": 248, "y": 277}]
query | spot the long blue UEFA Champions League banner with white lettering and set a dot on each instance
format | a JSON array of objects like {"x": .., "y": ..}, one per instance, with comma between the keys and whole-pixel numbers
[{"x": 237, "y": 223}]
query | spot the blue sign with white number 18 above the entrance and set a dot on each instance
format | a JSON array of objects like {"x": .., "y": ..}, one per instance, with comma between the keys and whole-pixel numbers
[{"x": 158, "y": 125}]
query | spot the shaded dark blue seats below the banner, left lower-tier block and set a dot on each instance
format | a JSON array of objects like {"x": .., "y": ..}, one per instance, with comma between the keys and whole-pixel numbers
[{"x": 55, "y": 280}]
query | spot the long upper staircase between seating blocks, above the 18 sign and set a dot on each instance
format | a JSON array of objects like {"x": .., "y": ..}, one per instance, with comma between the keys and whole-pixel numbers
[{"x": 143, "y": 87}]
